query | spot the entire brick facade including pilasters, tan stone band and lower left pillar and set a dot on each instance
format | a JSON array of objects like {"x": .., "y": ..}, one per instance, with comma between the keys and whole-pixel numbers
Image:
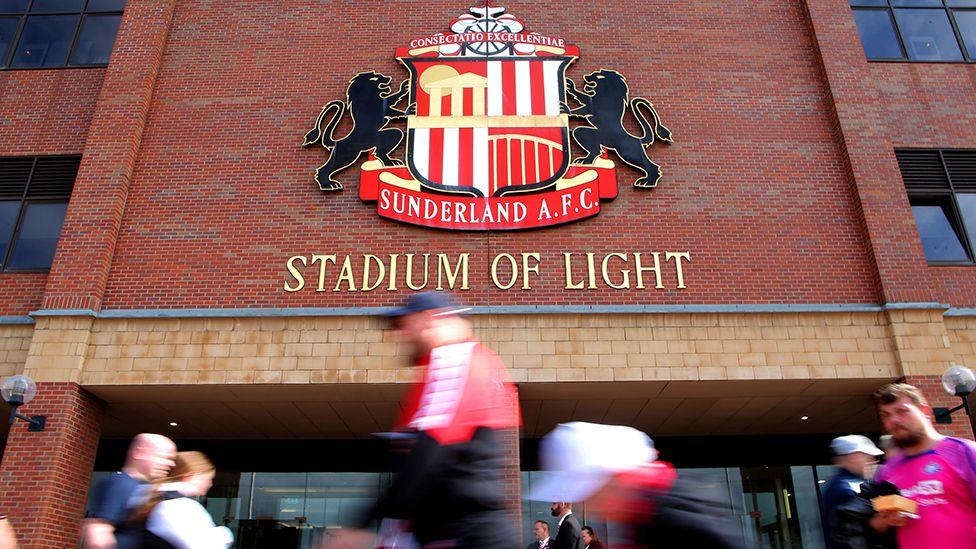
[{"x": 193, "y": 192}]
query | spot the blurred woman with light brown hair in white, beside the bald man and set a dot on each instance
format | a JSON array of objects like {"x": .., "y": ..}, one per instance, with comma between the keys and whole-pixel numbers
[{"x": 173, "y": 518}]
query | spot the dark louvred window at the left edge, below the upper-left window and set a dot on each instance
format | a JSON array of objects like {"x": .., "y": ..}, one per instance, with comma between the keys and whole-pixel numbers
[{"x": 34, "y": 195}]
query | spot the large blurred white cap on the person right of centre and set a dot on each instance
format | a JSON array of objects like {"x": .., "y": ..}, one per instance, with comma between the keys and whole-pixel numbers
[{"x": 578, "y": 458}]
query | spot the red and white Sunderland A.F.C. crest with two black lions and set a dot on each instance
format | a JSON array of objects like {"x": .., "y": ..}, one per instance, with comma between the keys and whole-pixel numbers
[{"x": 488, "y": 134}]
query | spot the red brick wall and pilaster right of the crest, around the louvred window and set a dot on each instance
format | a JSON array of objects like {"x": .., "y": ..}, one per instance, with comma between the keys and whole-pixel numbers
[{"x": 886, "y": 105}]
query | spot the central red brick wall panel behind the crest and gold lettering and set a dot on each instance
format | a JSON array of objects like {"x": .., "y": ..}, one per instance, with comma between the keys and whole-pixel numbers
[{"x": 756, "y": 185}]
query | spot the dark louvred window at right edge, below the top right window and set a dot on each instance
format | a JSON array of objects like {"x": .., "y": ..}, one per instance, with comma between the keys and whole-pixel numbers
[{"x": 941, "y": 187}]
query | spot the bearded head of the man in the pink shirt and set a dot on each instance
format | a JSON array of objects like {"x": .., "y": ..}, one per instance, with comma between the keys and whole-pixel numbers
[{"x": 904, "y": 414}]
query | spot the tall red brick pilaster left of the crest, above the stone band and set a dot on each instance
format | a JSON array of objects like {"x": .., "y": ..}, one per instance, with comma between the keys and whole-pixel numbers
[{"x": 91, "y": 225}]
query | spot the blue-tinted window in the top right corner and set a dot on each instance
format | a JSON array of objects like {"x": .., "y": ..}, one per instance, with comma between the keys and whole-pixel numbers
[{"x": 917, "y": 30}]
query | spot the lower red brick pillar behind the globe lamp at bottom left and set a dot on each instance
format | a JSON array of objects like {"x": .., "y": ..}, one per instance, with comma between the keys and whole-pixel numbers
[{"x": 44, "y": 476}]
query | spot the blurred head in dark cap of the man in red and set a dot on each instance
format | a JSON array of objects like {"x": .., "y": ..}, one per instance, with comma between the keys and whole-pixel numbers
[{"x": 430, "y": 319}]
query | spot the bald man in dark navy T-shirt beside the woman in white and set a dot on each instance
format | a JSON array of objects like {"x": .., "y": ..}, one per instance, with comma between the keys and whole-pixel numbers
[{"x": 113, "y": 500}]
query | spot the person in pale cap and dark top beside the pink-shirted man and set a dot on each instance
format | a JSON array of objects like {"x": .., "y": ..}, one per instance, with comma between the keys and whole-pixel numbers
[{"x": 855, "y": 457}]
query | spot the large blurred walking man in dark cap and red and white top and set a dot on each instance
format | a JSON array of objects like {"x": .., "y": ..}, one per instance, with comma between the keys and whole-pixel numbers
[{"x": 450, "y": 484}]
